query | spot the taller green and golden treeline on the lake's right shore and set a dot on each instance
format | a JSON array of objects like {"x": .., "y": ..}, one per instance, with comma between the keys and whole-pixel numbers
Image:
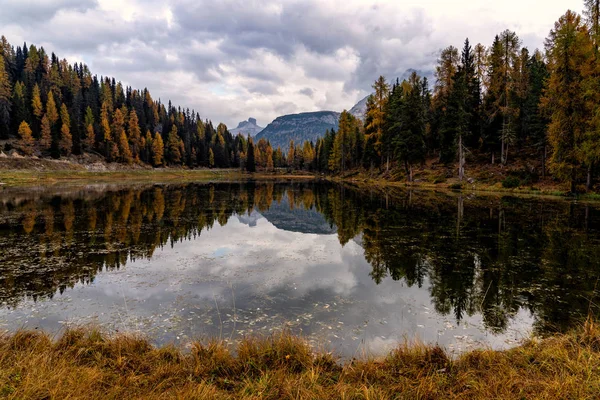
[{"x": 498, "y": 102}]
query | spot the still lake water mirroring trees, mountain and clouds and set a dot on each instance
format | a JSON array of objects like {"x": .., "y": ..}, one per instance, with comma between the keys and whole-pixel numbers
[{"x": 352, "y": 271}]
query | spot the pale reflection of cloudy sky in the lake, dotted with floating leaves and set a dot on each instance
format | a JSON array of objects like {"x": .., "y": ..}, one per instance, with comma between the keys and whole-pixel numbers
[{"x": 276, "y": 277}]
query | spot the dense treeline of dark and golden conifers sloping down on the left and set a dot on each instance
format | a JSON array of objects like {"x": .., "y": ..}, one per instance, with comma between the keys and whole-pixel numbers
[{"x": 59, "y": 109}]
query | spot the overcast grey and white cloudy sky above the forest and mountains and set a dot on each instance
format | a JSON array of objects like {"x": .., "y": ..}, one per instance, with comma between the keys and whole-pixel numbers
[{"x": 234, "y": 59}]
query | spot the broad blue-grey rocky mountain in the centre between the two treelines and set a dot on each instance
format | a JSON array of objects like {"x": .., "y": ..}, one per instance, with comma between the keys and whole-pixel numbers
[{"x": 299, "y": 128}]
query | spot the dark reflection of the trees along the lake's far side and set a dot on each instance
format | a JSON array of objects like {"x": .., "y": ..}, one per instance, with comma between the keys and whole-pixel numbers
[{"x": 490, "y": 256}]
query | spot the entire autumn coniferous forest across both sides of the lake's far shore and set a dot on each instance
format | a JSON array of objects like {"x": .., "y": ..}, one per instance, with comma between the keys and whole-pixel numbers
[{"x": 489, "y": 104}]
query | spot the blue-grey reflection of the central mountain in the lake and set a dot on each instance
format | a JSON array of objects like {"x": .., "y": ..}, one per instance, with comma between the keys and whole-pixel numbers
[{"x": 298, "y": 219}]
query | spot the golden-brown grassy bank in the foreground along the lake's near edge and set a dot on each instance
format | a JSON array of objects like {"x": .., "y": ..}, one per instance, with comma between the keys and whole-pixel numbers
[{"x": 86, "y": 364}]
